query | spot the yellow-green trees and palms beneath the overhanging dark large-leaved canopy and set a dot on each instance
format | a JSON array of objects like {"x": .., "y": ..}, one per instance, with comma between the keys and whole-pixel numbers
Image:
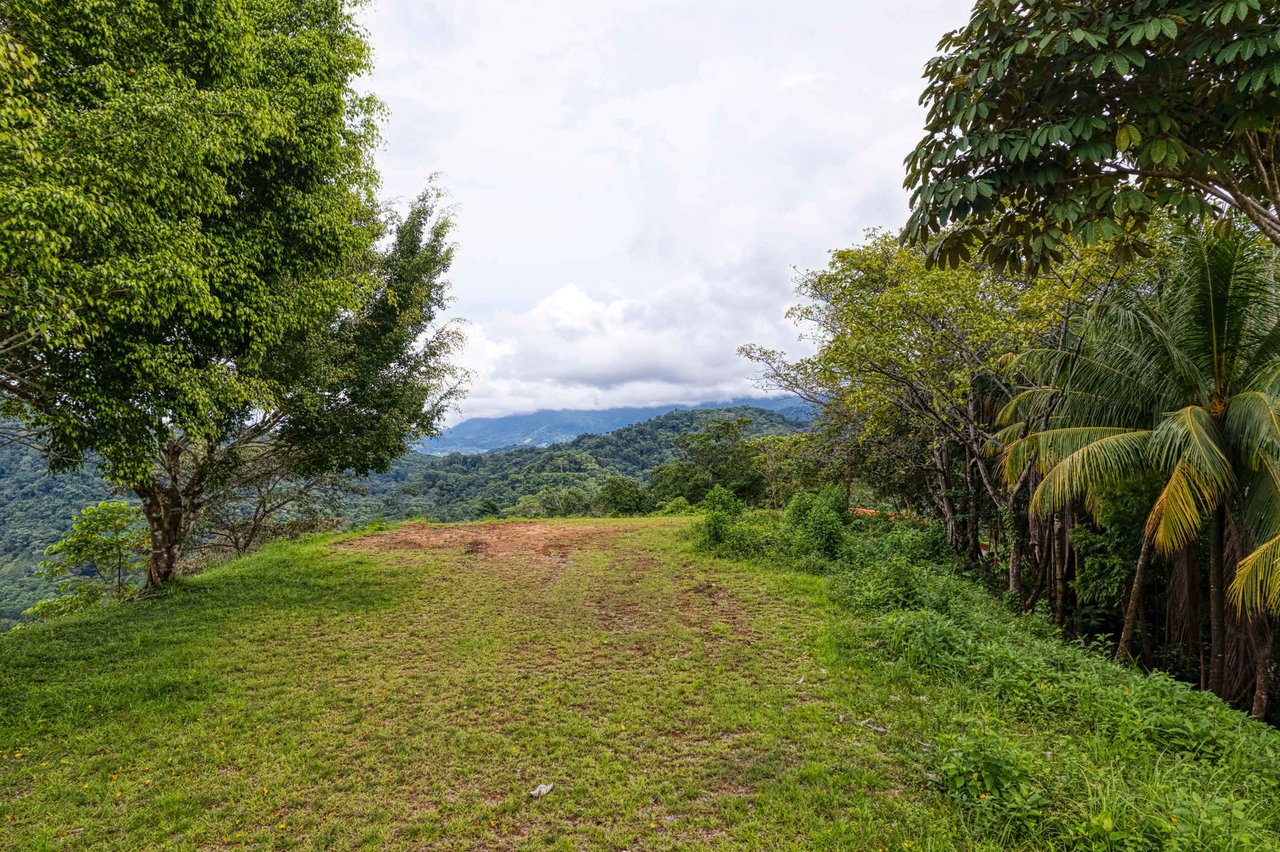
[{"x": 1101, "y": 438}]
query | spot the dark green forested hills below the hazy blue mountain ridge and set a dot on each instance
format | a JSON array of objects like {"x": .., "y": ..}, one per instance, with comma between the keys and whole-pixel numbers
[{"x": 669, "y": 462}]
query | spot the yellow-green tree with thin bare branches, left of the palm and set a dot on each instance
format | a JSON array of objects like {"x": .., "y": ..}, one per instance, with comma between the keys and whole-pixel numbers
[{"x": 913, "y": 358}]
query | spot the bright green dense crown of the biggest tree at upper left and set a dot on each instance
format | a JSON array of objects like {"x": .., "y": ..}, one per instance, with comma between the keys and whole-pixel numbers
[{"x": 185, "y": 187}]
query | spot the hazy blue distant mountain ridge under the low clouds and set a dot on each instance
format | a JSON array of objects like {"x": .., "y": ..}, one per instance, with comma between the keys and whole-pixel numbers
[{"x": 547, "y": 428}]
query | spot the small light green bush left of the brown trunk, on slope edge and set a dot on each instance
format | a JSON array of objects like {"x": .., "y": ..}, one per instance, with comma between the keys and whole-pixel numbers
[{"x": 98, "y": 562}]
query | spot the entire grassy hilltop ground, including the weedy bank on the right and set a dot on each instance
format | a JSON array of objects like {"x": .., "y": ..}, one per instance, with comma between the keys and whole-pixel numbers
[{"x": 413, "y": 690}]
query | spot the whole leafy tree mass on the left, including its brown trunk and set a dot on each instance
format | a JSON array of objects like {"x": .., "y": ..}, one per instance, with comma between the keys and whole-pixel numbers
[{"x": 189, "y": 250}]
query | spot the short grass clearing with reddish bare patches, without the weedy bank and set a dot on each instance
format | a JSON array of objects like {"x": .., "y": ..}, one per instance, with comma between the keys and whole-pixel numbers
[{"x": 410, "y": 690}]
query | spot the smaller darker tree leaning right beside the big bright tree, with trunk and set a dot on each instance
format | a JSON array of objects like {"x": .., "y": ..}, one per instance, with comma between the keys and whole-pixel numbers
[{"x": 349, "y": 398}]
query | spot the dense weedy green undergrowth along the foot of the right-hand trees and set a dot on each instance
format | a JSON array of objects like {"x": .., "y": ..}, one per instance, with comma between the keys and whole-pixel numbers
[{"x": 1036, "y": 741}]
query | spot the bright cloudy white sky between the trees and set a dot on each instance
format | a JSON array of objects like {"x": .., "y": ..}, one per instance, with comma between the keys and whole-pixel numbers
[{"x": 637, "y": 185}]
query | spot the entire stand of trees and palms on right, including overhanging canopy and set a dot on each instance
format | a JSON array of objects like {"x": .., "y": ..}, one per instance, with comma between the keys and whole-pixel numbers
[{"x": 1071, "y": 354}]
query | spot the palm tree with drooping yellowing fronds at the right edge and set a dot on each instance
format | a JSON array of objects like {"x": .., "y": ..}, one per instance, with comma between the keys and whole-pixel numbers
[{"x": 1178, "y": 377}]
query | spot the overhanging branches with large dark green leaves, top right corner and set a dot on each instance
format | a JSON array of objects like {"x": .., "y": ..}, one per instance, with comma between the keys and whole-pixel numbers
[{"x": 1057, "y": 120}]
